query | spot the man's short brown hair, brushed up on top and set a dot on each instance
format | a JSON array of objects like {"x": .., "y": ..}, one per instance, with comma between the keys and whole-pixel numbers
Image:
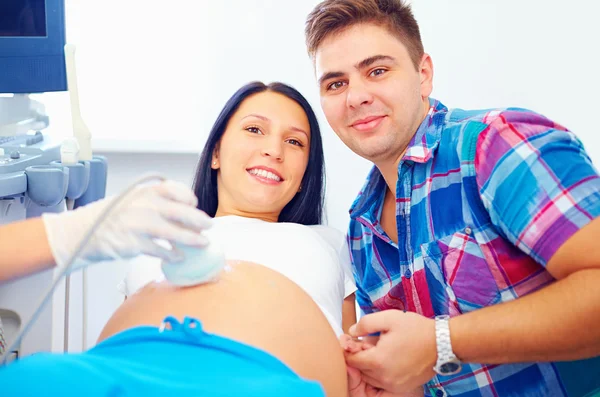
[{"x": 332, "y": 16}]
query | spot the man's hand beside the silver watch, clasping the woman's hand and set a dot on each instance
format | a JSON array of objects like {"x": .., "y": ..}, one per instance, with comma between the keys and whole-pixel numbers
[{"x": 403, "y": 357}]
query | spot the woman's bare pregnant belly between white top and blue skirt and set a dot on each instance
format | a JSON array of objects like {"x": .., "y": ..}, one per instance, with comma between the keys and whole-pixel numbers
[{"x": 251, "y": 304}]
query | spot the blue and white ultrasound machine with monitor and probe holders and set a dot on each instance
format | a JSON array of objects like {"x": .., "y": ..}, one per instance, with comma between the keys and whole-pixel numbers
[{"x": 38, "y": 171}]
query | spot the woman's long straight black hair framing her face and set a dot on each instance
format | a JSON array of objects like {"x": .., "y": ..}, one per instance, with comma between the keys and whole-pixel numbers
[{"x": 307, "y": 205}]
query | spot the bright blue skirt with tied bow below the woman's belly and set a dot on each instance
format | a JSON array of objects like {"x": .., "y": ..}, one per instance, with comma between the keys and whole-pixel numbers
[{"x": 179, "y": 359}]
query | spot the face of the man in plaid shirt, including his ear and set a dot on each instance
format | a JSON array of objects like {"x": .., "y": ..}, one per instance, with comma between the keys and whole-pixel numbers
[{"x": 371, "y": 93}]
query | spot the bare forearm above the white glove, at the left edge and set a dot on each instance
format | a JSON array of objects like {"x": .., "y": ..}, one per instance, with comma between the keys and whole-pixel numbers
[{"x": 24, "y": 249}]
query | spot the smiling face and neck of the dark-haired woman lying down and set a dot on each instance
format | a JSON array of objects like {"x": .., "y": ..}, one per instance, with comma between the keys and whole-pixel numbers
[{"x": 262, "y": 156}]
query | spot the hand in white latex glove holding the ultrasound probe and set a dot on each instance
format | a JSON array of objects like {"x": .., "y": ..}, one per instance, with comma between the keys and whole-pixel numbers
[{"x": 165, "y": 211}]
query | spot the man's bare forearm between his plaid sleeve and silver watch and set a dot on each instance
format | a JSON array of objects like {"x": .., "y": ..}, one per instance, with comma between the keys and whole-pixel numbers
[{"x": 559, "y": 322}]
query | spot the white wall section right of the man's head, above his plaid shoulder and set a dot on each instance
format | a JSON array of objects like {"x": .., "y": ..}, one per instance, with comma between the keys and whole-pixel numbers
[{"x": 541, "y": 55}]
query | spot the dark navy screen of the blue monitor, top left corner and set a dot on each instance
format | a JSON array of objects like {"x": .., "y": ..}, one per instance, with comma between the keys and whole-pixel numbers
[{"x": 23, "y": 18}]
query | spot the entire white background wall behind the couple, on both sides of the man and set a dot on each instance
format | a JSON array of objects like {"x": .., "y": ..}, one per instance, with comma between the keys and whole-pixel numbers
[{"x": 153, "y": 78}]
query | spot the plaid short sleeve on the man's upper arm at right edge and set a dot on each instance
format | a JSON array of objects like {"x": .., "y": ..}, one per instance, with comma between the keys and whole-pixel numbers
[{"x": 536, "y": 181}]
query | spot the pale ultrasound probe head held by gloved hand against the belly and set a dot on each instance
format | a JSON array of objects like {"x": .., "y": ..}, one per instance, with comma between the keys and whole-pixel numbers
[{"x": 199, "y": 266}]
